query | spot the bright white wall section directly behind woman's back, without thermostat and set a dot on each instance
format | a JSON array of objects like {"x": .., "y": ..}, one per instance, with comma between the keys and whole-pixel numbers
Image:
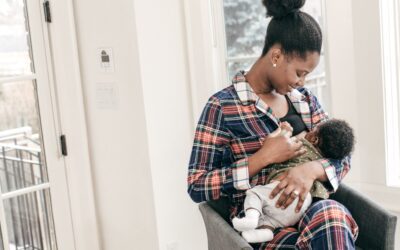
[{"x": 165, "y": 77}]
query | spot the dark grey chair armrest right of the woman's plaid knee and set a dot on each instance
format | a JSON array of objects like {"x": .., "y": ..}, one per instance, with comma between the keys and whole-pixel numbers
[{"x": 376, "y": 226}]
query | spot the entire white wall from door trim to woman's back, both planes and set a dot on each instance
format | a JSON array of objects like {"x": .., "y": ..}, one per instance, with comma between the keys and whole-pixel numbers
[{"x": 140, "y": 149}]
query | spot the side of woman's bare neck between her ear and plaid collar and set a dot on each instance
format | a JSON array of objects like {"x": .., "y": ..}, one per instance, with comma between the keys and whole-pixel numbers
[{"x": 257, "y": 78}]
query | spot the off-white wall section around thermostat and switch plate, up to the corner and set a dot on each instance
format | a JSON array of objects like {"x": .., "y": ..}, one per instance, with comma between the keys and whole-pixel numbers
[{"x": 117, "y": 137}]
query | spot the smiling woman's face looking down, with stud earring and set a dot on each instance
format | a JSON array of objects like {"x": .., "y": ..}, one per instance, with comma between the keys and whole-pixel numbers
[{"x": 290, "y": 71}]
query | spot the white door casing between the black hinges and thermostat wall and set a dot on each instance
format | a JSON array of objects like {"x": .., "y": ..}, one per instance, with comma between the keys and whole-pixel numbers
[{"x": 71, "y": 112}]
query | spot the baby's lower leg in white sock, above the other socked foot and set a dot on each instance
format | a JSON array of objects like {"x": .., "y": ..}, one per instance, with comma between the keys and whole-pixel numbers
[{"x": 252, "y": 206}]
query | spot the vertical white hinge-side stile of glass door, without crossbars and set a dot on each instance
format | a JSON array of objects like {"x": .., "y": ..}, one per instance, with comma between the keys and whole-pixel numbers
[{"x": 50, "y": 126}]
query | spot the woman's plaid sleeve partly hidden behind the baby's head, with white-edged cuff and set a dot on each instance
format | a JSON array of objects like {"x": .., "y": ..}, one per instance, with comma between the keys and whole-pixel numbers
[{"x": 334, "y": 169}]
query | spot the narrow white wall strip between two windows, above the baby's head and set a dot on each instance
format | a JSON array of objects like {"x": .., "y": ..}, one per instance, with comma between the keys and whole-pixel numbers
[{"x": 341, "y": 72}]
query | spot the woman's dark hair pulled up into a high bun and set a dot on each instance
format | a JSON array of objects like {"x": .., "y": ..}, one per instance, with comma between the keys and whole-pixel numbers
[{"x": 296, "y": 31}]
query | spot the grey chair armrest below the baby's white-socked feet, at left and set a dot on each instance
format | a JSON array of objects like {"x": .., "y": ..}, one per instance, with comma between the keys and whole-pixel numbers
[{"x": 220, "y": 235}]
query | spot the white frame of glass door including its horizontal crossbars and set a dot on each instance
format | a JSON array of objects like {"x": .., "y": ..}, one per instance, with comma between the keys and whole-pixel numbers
[{"x": 47, "y": 113}]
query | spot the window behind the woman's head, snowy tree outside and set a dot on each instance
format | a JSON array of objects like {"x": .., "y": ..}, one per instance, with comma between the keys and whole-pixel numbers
[{"x": 245, "y": 27}]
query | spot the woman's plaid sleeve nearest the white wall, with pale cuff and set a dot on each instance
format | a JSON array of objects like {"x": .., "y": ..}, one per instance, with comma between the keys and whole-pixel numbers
[{"x": 207, "y": 177}]
